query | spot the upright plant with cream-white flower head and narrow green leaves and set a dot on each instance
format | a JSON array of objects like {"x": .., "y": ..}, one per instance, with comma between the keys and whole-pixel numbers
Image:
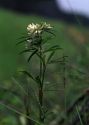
[{"x": 34, "y": 46}]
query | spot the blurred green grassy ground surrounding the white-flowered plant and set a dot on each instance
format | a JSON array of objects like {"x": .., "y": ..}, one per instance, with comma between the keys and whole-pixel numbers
[{"x": 66, "y": 95}]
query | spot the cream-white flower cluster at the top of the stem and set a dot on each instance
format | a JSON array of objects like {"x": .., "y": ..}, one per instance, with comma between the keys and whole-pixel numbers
[{"x": 37, "y": 28}]
